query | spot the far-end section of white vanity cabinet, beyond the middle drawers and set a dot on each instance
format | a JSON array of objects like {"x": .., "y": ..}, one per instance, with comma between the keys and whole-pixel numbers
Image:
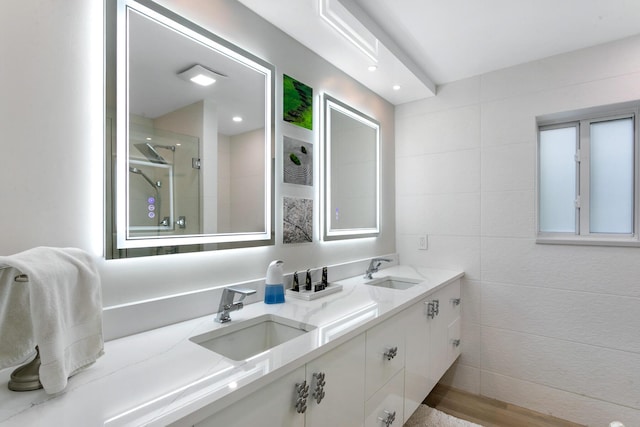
[{"x": 432, "y": 342}]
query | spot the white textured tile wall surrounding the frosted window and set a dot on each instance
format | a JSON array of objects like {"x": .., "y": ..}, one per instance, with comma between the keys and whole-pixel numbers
[{"x": 551, "y": 328}]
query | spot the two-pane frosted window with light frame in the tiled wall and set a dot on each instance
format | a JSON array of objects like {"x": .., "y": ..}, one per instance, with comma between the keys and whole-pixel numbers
[{"x": 587, "y": 177}]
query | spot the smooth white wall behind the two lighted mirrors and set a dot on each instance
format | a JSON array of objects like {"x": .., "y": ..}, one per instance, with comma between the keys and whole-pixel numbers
[{"x": 51, "y": 127}]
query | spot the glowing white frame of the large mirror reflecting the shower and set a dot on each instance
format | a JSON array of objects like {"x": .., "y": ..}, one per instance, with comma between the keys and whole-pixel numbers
[{"x": 206, "y": 38}]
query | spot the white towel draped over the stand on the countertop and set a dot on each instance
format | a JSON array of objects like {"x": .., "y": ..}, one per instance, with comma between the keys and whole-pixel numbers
[{"x": 59, "y": 310}]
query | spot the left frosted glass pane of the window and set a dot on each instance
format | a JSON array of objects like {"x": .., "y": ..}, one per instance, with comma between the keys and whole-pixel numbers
[{"x": 558, "y": 180}]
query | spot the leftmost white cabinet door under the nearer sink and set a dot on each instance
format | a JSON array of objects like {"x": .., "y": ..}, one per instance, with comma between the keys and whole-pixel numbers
[{"x": 272, "y": 405}]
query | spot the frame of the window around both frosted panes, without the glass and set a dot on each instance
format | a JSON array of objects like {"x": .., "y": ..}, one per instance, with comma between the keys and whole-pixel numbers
[{"x": 583, "y": 120}]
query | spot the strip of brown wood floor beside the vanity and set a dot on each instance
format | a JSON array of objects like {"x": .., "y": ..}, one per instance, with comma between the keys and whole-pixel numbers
[{"x": 489, "y": 412}]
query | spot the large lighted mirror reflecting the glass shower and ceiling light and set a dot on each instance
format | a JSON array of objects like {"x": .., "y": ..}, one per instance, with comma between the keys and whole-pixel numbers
[{"x": 192, "y": 125}]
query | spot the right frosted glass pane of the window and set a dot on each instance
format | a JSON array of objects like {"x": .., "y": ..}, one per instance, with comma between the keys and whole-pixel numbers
[{"x": 611, "y": 177}]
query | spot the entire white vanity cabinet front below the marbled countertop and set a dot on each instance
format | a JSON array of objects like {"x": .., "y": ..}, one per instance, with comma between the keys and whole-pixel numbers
[{"x": 377, "y": 379}]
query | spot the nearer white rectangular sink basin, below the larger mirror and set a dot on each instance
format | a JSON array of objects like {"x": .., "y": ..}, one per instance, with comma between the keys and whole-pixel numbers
[{"x": 242, "y": 340}]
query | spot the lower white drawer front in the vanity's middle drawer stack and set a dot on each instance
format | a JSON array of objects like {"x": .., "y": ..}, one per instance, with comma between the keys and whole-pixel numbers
[{"x": 385, "y": 408}]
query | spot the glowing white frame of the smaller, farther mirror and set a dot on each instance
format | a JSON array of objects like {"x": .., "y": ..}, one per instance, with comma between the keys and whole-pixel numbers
[{"x": 330, "y": 232}]
